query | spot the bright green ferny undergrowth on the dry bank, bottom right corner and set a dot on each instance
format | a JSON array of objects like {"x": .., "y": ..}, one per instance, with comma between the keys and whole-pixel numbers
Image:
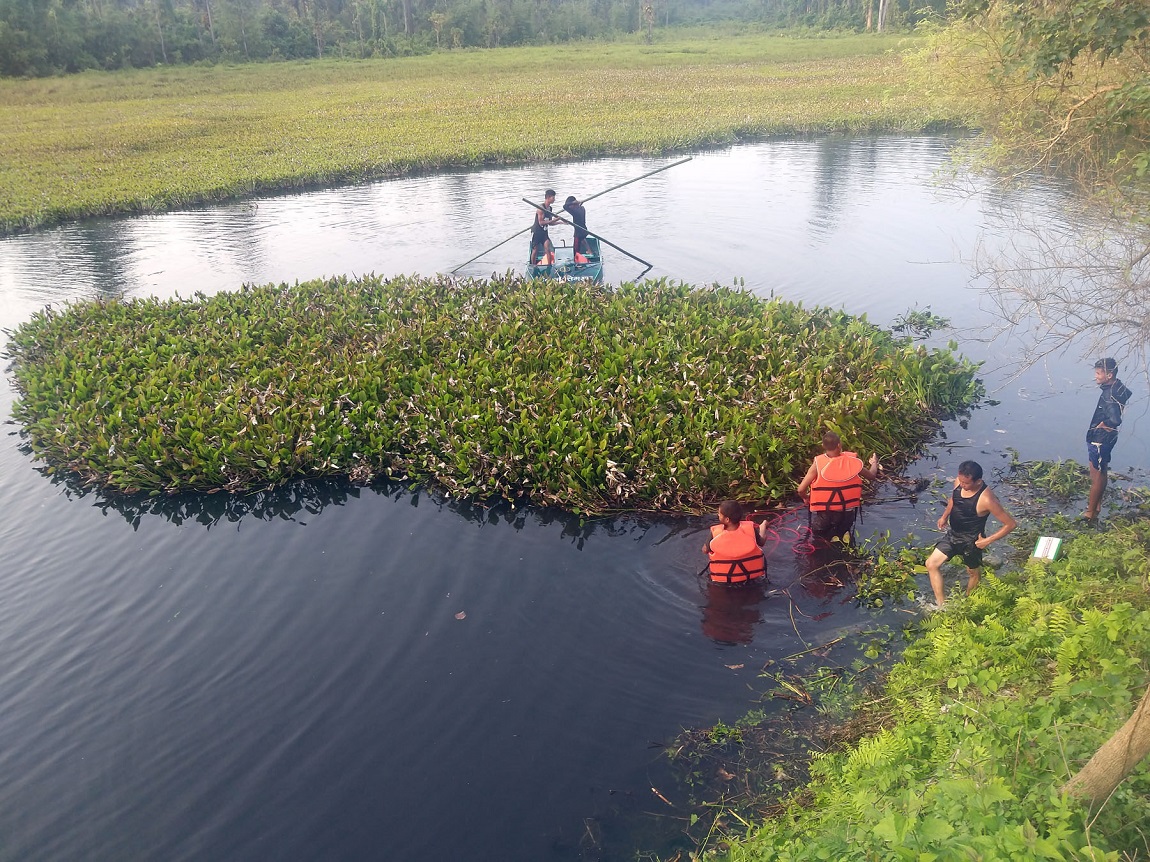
[{"x": 993, "y": 706}]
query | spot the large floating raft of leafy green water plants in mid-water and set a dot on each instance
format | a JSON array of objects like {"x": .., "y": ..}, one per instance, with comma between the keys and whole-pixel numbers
[{"x": 656, "y": 396}]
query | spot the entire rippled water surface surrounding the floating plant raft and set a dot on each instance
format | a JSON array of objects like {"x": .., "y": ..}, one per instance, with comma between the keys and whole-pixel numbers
[{"x": 287, "y": 676}]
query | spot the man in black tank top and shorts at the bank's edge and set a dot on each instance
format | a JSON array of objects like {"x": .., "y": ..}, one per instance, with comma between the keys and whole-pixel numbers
[{"x": 965, "y": 522}]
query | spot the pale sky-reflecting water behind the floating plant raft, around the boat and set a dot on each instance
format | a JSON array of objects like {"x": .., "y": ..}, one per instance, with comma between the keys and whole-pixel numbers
[{"x": 853, "y": 224}]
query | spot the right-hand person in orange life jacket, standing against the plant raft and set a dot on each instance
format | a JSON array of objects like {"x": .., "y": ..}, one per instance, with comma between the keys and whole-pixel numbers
[{"x": 833, "y": 488}]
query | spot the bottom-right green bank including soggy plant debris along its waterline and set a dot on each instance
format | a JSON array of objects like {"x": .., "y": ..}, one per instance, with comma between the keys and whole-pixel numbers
[{"x": 963, "y": 745}]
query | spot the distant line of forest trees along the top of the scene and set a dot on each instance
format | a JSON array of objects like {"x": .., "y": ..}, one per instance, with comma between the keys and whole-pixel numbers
[{"x": 51, "y": 37}]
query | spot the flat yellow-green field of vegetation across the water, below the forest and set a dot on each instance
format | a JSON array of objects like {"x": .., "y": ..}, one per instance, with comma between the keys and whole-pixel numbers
[{"x": 158, "y": 140}]
